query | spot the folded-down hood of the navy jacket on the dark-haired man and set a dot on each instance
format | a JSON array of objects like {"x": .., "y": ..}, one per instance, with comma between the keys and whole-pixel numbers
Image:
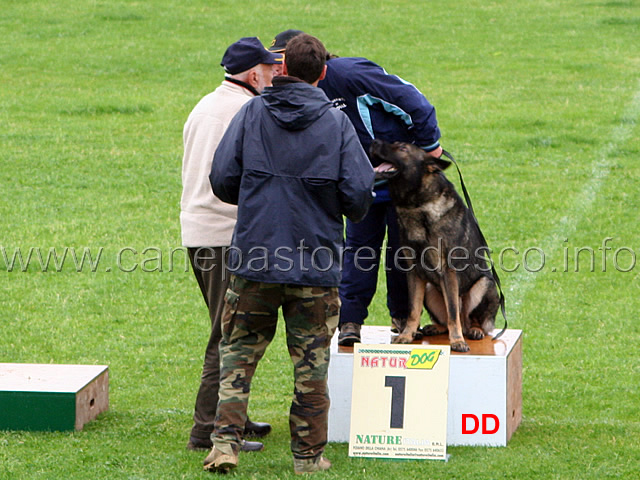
[{"x": 294, "y": 104}]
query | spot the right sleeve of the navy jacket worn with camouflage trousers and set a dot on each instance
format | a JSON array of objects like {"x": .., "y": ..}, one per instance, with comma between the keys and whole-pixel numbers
[{"x": 355, "y": 185}]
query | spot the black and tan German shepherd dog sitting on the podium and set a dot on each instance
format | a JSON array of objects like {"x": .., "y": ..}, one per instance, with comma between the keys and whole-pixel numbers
[{"x": 447, "y": 269}]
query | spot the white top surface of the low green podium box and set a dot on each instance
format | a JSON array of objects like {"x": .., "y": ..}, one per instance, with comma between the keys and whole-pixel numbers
[{"x": 33, "y": 377}]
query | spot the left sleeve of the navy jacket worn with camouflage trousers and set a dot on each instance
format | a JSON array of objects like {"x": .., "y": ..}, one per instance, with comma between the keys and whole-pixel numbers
[{"x": 226, "y": 168}]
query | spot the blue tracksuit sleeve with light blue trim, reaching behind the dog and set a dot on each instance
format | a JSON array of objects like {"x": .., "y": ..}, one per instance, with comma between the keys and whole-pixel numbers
[{"x": 398, "y": 97}]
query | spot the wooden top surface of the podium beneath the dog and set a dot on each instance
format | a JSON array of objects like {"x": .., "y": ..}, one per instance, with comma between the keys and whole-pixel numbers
[{"x": 376, "y": 335}]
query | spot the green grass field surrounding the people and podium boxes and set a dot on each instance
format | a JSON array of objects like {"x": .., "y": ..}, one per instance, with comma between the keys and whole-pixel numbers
[{"x": 538, "y": 100}]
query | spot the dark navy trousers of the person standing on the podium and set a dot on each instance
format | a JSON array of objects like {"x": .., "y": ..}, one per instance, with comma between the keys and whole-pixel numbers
[{"x": 360, "y": 274}]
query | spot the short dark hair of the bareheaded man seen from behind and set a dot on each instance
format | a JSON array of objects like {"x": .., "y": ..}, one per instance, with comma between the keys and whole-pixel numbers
[{"x": 305, "y": 57}]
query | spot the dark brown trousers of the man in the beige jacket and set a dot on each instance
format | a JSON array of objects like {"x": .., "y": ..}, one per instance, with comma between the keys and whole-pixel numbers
[{"x": 208, "y": 265}]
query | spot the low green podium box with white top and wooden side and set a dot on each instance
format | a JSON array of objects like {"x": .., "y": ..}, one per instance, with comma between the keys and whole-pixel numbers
[{"x": 51, "y": 397}]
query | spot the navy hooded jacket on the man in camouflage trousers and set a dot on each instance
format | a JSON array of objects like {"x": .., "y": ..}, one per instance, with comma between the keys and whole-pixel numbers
[{"x": 294, "y": 166}]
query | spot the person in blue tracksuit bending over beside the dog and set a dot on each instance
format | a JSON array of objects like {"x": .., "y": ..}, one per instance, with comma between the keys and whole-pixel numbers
[{"x": 388, "y": 108}]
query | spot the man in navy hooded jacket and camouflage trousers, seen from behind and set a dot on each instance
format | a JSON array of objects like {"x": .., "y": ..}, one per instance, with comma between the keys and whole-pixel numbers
[{"x": 294, "y": 166}]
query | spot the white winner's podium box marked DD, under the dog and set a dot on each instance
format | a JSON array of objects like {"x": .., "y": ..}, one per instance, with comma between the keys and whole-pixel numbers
[{"x": 485, "y": 387}]
